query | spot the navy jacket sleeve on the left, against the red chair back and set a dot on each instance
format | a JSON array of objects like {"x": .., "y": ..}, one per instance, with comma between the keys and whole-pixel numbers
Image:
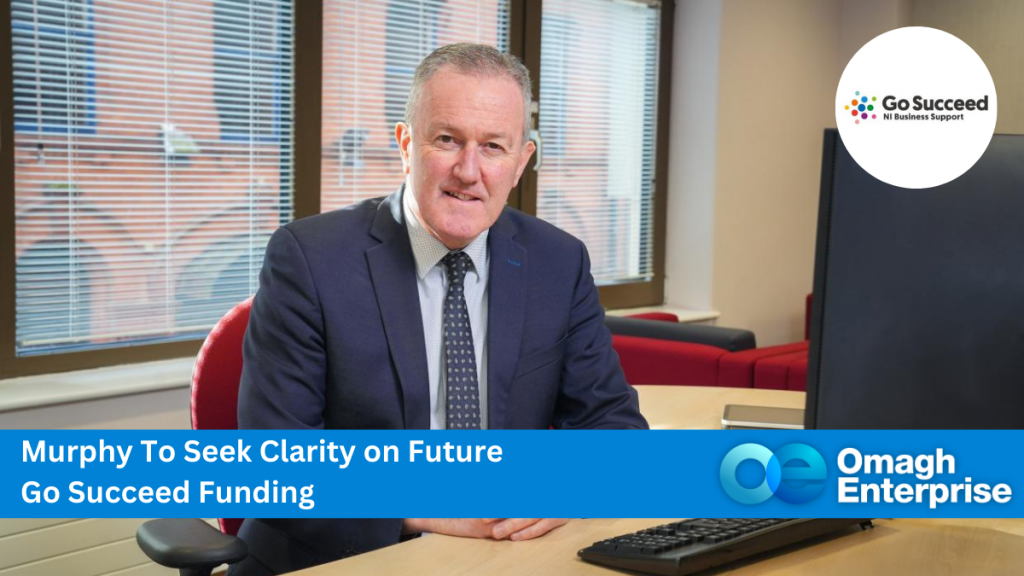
[{"x": 284, "y": 381}]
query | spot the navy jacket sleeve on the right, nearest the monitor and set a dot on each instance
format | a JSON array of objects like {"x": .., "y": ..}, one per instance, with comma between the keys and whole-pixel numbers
[{"x": 594, "y": 393}]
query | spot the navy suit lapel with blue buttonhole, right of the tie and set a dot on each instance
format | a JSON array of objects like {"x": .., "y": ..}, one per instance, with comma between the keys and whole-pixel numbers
[{"x": 506, "y": 312}]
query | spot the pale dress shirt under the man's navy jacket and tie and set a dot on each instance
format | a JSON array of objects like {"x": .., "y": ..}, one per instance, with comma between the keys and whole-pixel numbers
[{"x": 433, "y": 284}]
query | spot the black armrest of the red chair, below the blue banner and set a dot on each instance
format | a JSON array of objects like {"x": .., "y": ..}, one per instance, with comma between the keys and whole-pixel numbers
[{"x": 189, "y": 545}]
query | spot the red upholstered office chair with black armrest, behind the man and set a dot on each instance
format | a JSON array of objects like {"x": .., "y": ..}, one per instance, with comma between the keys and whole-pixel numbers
[{"x": 190, "y": 545}]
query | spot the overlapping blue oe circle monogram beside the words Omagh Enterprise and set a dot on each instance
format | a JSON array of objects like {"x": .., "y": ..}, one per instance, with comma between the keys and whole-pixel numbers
[{"x": 778, "y": 474}]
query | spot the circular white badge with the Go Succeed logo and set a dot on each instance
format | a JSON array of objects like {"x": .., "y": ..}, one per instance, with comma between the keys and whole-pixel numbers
[{"x": 916, "y": 108}]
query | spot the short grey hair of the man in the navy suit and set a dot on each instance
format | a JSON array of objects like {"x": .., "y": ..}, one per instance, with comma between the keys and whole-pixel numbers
[{"x": 476, "y": 60}]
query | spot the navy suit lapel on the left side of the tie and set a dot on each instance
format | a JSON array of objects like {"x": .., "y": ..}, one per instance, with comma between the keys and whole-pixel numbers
[{"x": 393, "y": 271}]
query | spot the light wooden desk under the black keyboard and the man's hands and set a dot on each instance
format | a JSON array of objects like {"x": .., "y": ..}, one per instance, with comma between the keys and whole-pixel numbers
[{"x": 949, "y": 548}]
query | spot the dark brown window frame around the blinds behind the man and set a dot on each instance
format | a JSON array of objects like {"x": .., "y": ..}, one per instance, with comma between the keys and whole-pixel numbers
[{"x": 525, "y": 36}]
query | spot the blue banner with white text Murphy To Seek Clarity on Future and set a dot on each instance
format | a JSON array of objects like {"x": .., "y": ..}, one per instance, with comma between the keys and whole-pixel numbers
[{"x": 503, "y": 474}]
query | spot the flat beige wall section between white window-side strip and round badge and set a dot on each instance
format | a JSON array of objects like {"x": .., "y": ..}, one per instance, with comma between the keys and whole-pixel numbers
[{"x": 777, "y": 87}]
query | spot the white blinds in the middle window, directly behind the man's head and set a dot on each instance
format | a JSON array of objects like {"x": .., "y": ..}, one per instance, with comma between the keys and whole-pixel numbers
[{"x": 371, "y": 50}]
